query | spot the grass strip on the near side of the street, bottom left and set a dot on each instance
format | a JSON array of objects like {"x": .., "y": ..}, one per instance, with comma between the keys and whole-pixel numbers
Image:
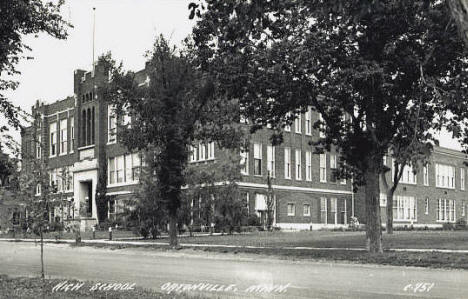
[{"x": 22, "y": 287}]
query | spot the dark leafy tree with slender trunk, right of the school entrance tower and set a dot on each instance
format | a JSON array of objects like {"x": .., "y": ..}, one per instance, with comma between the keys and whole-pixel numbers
[{"x": 176, "y": 107}]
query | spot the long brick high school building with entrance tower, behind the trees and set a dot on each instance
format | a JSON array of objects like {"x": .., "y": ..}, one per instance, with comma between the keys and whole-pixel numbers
[{"x": 79, "y": 138}]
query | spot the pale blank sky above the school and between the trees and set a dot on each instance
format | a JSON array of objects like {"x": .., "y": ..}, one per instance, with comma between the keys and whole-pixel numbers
[{"x": 126, "y": 28}]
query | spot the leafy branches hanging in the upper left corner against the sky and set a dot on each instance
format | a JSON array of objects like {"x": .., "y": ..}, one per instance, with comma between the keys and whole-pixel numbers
[{"x": 19, "y": 18}]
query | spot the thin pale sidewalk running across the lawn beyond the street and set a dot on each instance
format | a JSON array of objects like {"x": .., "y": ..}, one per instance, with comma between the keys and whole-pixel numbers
[{"x": 192, "y": 245}]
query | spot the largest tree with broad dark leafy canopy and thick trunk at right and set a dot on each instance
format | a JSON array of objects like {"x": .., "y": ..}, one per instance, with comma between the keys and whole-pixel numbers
[{"x": 380, "y": 73}]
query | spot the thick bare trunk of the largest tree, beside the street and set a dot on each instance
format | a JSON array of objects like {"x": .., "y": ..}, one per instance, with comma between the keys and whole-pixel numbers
[{"x": 373, "y": 221}]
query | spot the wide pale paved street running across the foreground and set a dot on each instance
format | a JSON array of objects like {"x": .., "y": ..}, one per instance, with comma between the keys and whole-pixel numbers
[{"x": 152, "y": 269}]
